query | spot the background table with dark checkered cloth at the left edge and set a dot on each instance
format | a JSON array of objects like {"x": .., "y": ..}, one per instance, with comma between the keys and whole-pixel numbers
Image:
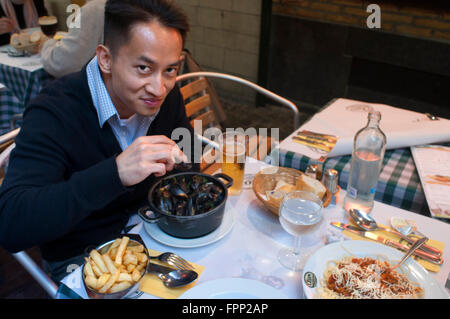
[{"x": 24, "y": 77}]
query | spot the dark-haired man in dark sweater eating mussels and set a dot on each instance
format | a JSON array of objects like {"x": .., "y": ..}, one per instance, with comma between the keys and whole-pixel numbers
[{"x": 82, "y": 163}]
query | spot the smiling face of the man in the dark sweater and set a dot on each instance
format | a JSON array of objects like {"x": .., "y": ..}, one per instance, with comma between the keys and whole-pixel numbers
[{"x": 144, "y": 70}]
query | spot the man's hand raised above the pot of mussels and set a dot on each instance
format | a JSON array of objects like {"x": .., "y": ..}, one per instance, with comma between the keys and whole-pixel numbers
[{"x": 147, "y": 155}]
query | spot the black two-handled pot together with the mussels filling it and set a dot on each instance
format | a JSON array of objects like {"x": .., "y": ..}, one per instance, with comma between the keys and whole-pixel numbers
[{"x": 187, "y": 204}]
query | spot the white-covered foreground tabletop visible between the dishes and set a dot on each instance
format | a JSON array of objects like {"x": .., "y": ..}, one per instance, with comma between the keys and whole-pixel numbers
[{"x": 250, "y": 249}]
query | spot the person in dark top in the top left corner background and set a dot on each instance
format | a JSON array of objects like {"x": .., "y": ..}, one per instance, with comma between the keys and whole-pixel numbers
[{"x": 19, "y": 14}]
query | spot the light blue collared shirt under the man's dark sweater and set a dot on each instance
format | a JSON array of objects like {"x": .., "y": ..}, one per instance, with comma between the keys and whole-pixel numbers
[{"x": 125, "y": 130}]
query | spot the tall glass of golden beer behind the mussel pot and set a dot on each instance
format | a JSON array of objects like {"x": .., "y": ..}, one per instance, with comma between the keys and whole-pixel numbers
[{"x": 233, "y": 149}]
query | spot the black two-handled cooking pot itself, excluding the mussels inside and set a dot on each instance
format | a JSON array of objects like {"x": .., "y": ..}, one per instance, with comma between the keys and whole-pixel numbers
[{"x": 187, "y": 226}]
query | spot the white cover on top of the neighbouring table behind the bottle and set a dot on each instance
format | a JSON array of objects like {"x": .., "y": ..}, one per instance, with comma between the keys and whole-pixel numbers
[{"x": 344, "y": 117}]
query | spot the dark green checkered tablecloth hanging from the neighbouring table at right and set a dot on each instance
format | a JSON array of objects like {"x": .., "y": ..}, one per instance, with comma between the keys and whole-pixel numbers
[{"x": 398, "y": 185}]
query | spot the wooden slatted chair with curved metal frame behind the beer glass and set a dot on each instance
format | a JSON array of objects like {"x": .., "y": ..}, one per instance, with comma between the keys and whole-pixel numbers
[{"x": 198, "y": 107}]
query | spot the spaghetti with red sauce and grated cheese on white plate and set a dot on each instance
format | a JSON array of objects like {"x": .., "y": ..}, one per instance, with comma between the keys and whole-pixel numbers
[{"x": 366, "y": 278}]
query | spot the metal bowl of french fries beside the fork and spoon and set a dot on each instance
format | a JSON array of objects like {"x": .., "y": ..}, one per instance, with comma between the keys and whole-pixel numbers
[{"x": 113, "y": 270}]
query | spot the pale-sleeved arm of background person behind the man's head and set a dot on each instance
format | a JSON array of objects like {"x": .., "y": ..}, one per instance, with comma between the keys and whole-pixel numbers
[{"x": 76, "y": 49}]
